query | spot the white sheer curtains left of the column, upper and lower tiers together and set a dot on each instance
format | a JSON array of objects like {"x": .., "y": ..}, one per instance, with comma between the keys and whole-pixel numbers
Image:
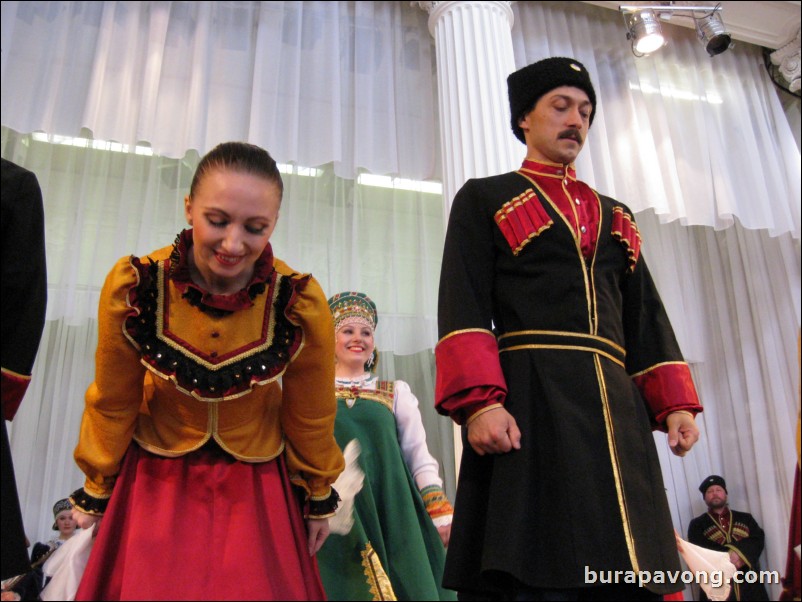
[{"x": 334, "y": 90}]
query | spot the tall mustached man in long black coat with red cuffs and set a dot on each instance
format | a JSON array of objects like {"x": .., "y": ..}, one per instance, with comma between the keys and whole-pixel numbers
[{"x": 557, "y": 357}]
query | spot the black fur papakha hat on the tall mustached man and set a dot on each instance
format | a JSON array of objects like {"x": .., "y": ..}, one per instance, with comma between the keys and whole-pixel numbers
[{"x": 528, "y": 84}]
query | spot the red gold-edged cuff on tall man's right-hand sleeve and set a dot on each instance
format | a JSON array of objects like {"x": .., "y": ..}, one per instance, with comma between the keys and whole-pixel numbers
[{"x": 667, "y": 388}]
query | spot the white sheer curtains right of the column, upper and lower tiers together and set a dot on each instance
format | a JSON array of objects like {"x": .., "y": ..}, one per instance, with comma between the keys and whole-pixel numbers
[{"x": 701, "y": 149}]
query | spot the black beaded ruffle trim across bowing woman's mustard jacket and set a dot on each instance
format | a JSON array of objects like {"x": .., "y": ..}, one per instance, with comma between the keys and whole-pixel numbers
[{"x": 232, "y": 379}]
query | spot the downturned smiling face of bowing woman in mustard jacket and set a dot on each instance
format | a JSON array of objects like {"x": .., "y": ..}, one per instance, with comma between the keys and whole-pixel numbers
[{"x": 233, "y": 215}]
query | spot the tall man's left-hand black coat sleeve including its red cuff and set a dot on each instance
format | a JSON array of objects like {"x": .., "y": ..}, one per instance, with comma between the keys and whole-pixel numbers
[{"x": 469, "y": 376}]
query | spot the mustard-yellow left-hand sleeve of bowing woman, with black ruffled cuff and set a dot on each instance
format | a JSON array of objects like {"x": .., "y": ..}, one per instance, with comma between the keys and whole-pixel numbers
[{"x": 114, "y": 398}]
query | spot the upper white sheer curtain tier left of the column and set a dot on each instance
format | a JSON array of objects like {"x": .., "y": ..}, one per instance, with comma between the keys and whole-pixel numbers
[{"x": 348, "y": 83}]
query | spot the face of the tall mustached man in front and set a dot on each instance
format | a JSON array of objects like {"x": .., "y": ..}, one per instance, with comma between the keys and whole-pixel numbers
[{"x": 556, "y": 128}]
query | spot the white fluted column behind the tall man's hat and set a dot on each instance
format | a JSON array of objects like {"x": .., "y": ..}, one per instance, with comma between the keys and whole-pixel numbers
[{"x": 473, "y": 44}]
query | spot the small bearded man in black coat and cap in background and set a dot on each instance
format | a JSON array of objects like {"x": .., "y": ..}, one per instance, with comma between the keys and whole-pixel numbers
[{"x": 726, "y": 530}]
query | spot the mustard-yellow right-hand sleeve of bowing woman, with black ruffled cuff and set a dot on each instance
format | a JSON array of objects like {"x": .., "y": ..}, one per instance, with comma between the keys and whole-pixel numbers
[{"x": 308, "y": 403}]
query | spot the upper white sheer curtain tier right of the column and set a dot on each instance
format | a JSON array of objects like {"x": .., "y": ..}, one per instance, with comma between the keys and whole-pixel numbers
[{"x": 697, "y": 139}]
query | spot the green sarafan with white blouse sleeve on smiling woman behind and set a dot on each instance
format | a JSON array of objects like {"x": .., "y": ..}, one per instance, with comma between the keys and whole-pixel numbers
[{"x": 393, "y": 550}]
